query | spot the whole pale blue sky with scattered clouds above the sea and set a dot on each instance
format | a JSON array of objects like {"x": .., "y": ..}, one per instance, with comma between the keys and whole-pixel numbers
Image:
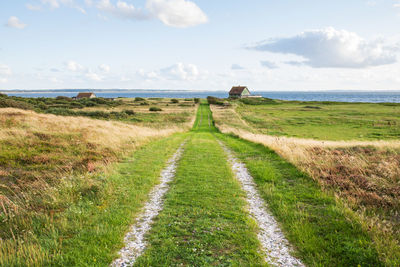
[{"x": 285, "y": 45}]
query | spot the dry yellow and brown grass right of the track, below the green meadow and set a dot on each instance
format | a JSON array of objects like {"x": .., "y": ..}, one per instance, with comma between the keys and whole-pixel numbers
[{"x": 364, "y": 175}]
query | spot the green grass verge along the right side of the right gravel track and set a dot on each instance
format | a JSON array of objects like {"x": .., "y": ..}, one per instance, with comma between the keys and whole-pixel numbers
[{"x": 314, "y": 223}]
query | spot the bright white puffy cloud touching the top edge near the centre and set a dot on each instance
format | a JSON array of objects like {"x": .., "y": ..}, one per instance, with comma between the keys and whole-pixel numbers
[{"x": 177, "y": 13}]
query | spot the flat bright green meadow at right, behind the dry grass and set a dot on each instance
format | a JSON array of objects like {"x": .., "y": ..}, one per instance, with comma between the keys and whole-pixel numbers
[{"x": 324, "y": 121}]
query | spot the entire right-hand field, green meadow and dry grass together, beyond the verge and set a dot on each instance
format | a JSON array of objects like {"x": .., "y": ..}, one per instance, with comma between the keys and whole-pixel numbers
[{"x": 350, "y": 149}]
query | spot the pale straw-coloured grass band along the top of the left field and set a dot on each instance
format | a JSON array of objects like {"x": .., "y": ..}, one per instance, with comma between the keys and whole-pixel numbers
[{"x": 20, "y": 123}]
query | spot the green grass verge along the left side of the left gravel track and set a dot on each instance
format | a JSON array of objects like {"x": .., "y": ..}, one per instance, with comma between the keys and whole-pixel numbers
[{"x": 90, "y": 230}]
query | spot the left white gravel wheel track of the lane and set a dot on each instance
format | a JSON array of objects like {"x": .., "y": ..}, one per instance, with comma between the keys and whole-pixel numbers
[{"x": 135, "y": 242}]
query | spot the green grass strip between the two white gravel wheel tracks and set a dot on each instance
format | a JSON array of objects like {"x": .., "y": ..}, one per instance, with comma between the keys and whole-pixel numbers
[{"x": 204, "y": 221}]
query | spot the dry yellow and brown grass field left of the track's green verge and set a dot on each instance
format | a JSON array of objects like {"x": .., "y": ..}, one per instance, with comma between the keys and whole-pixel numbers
[{"x": 41, "y": 154}]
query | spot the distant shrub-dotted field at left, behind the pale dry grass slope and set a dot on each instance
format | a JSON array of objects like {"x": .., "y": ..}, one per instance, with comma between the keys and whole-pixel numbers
[{"x": 169, "y": 112}]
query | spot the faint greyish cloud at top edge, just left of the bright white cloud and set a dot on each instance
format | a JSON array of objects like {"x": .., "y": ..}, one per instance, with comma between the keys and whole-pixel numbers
[{"x": 121, "y": 9}]
